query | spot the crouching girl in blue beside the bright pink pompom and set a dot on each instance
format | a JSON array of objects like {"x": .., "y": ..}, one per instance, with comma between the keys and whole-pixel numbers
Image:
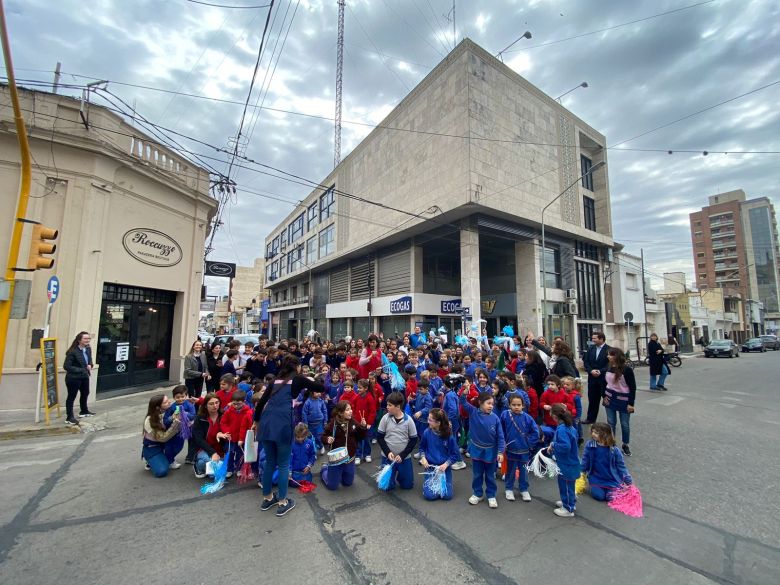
[{"x": 603, "y": 463}]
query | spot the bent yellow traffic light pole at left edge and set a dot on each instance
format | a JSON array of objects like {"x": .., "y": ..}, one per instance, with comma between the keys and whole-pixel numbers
[{"x": 24, "y": 188}]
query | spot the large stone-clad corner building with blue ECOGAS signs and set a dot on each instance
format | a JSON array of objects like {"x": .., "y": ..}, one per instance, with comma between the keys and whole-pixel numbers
[{"x": 440, "y": 208}]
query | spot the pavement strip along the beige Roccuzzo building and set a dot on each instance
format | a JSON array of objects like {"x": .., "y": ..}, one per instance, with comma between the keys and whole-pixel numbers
[{"x": 112, "y": 413}]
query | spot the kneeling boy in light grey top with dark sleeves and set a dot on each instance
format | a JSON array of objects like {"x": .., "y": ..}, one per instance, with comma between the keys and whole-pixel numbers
[{"x": 397, "y": 436}]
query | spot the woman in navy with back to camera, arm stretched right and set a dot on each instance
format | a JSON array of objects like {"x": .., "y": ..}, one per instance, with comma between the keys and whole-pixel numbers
[{"x": 274, "y": 423}]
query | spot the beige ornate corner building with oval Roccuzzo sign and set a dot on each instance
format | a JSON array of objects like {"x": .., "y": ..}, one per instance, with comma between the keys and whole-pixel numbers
[{"x": 132, "y": 218}]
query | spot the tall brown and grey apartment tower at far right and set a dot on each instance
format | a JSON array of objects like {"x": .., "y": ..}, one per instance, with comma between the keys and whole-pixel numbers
[{"x": 735, "y": 246}]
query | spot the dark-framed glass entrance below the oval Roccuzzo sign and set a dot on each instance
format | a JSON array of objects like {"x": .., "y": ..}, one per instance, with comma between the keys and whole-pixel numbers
[{"x": 134, "y": 338}]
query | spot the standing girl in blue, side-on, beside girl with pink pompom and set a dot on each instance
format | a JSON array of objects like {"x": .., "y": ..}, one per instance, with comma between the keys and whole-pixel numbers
[{"x": 564, "y": 446}]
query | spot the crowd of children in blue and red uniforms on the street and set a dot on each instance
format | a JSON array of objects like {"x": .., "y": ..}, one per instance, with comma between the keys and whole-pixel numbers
[{"x": 435, "y": 405}]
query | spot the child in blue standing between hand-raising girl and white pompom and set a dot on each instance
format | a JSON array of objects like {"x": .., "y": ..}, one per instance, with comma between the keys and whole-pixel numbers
[{"x": 522, "y": 435}]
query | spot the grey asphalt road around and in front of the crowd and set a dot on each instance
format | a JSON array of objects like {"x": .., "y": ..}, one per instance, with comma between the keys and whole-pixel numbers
[{"x": 83, "y": 510}]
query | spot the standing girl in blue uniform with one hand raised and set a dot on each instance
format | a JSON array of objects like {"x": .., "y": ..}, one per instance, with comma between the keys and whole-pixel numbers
[{"x": 486, "y": 445}]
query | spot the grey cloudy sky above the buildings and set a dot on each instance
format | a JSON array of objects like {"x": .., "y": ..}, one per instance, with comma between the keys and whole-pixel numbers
[{"x": 647, "y": 64}]
